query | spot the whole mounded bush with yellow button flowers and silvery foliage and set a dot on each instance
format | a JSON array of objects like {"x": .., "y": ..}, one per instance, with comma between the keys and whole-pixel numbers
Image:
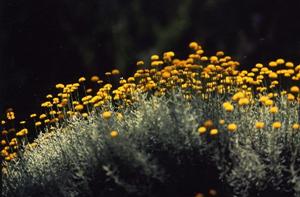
[{"x": 193, "y": 127}]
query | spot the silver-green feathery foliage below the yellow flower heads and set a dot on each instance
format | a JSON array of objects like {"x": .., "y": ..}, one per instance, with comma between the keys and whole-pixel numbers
[{"x": 156, "y": 134}]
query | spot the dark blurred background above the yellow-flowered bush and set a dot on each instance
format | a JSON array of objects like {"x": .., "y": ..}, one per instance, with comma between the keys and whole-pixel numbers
[{"x": 46, "y": 42}]
